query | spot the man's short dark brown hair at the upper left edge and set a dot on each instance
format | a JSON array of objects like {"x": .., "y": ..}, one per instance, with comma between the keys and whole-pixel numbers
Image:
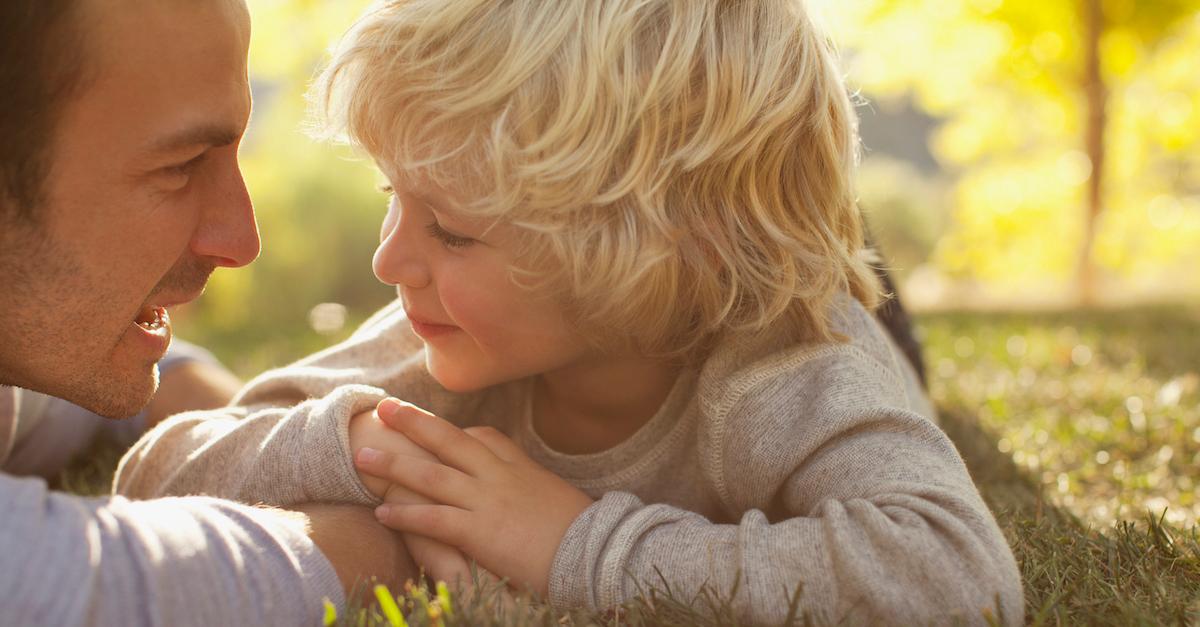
[{"x": 40, "y": 69}]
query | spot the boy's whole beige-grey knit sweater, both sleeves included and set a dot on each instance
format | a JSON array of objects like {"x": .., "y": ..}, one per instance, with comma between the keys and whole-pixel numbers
[{"x": 787, "y": 465}]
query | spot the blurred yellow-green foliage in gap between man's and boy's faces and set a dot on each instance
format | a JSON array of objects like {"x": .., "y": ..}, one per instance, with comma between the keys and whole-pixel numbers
[{"x": 319, "y": 208}]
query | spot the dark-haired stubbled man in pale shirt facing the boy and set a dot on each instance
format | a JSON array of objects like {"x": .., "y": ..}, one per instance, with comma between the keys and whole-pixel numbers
[{"x": 119, "y": 195}]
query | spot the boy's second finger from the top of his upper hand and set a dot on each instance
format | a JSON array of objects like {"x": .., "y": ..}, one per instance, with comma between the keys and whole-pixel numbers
[{"x": 434, "y": 480}]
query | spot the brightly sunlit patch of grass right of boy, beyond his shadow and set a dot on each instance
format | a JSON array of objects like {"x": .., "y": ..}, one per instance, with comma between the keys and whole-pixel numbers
[{"x": 1102, "y": 409}]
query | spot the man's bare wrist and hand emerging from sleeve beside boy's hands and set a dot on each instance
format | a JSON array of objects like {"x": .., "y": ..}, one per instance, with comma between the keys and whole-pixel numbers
[{"x": 358, "y": 546}]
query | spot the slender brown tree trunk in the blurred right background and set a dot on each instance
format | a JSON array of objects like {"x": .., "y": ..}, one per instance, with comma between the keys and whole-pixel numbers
[{"x": 1096, "y": 93}]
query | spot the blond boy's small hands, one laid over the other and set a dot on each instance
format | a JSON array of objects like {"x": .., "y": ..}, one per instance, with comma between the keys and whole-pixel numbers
[{"x": 464, "y": 494}]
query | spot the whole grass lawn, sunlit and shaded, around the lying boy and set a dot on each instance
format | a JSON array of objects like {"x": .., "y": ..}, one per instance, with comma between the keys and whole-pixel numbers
[{"x": 1082, "y": 431}]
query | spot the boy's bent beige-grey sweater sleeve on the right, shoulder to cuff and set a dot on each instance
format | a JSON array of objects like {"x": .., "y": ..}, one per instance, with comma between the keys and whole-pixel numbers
[{"x": 863, "y": 507}]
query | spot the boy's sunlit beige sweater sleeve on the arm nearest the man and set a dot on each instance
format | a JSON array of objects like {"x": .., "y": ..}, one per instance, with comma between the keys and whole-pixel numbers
[{"x": 285, "y": 438}]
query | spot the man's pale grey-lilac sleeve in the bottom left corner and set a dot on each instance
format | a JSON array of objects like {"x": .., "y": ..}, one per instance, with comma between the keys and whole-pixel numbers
[{"x": 166, "y": 563}]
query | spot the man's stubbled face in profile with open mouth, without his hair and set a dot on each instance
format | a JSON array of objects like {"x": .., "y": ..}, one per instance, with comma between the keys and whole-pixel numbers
[{"x": 143, "y": 201}]
